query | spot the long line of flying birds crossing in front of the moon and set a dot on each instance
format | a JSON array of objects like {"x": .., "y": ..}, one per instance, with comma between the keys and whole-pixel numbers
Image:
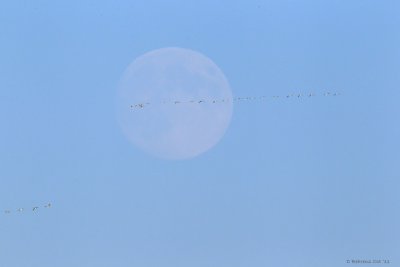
[{"x": 235, "y": 99}]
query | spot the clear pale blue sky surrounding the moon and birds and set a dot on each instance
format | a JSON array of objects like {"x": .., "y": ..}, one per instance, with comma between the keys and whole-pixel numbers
[{"x": 310, "y": 182}]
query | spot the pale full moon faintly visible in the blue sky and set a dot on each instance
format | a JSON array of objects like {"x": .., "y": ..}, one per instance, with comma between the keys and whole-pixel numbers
[{"x": 162, "y": 127}]
